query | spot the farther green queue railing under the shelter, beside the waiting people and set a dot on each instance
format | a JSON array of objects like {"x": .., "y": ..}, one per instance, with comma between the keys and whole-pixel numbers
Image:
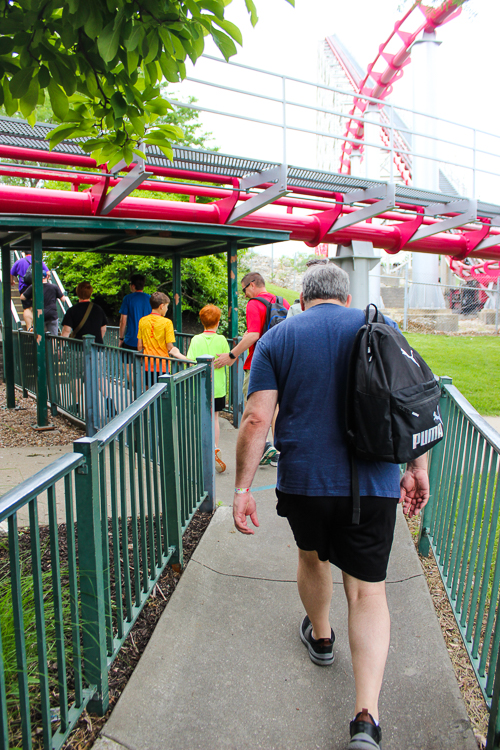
[{"x": 92, "y": 383}]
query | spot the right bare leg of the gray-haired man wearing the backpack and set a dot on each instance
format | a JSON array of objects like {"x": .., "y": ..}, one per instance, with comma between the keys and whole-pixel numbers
[{"x": 369, "y": 635}]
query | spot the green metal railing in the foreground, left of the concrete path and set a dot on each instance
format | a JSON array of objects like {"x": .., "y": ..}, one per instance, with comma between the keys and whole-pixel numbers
[{"x": 126, "y": 495}]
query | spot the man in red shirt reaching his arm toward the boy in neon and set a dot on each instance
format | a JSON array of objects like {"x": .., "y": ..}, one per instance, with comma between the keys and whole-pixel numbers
[{"x": 252, "y": 285}]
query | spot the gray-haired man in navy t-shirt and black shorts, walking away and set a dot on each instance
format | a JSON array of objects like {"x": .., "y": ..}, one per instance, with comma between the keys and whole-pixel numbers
[{"x": 314, "y": 493}]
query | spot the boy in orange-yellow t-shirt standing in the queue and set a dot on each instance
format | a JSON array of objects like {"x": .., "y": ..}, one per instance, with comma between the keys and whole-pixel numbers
[{"x": 156, "y": 336}]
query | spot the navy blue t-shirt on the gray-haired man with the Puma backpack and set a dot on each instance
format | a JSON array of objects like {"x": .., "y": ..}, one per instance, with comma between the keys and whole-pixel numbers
[{"x": 306, "y": 359}]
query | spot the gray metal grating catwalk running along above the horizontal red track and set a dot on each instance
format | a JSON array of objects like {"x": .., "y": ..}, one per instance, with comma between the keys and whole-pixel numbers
[{"x": 14, "y": 132}]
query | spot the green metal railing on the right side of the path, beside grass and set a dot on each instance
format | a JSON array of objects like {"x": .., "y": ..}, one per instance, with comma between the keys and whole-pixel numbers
[{"x": 461, "y": 523}]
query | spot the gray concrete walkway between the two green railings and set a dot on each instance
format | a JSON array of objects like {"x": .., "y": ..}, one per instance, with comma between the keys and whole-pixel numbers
[{"x": 225, "y": 669}]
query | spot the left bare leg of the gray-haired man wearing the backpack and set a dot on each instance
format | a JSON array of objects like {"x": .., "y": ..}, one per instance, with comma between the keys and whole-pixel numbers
[{"x": 314, "y": 580}]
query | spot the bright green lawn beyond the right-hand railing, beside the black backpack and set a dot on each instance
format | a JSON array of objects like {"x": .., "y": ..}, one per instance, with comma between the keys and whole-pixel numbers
[{"x": 473, "y": 363}]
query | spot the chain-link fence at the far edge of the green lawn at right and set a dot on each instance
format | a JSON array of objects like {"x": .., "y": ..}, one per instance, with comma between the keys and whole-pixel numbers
[{"x": 430, "y": 308}]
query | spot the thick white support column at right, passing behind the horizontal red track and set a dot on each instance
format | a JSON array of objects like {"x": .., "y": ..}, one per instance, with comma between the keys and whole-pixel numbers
[{"x": 425, "y": 268}]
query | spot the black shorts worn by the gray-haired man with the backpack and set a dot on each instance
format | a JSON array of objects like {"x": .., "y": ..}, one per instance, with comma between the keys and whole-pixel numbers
[{"x": 325, "y": 524}]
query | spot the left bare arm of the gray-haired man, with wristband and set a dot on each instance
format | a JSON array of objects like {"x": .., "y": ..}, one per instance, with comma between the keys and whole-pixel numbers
[{"x": 257, "y": 417}]
